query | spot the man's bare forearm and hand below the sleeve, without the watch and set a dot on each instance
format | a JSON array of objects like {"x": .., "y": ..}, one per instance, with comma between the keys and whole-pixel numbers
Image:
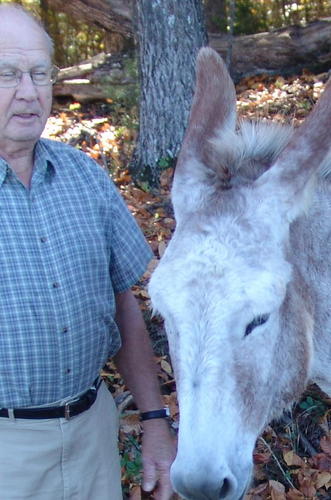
[{"x": 136, "y": 365}]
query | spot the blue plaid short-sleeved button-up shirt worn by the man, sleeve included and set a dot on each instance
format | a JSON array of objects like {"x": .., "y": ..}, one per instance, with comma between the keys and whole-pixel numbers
[{"x": 67, "y": 246}]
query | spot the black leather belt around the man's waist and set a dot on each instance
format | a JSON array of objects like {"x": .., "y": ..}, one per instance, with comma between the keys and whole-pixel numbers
[{"x": 83, "y": 403}]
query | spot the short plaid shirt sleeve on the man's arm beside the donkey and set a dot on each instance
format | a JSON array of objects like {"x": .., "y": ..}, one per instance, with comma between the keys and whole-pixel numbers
[{"x": 130, "y": 253}]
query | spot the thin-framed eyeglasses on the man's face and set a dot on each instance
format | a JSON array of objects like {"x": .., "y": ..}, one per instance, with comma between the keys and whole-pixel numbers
[{"x": 11, "y": 77}]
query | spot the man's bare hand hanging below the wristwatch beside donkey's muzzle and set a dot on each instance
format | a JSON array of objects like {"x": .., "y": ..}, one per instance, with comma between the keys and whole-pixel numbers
[{"x": 158, "y": 453}]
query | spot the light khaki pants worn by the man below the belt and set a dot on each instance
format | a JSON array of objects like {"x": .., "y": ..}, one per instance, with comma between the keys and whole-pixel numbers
[{"x": 60, "y": 459}]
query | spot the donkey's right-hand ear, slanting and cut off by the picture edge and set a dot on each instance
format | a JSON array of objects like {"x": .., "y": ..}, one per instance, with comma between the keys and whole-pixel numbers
[{"x": 291, "y": 178}]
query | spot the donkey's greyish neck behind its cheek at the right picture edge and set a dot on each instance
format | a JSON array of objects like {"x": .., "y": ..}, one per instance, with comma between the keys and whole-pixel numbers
[{"x": 310, "y": 238}]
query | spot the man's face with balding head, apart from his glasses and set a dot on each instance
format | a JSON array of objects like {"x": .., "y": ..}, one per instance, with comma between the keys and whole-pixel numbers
[{"x": 25, "y": 108}]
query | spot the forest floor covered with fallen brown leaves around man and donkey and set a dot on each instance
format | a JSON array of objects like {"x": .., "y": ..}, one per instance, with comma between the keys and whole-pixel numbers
[{"x": 292, "y": 459}]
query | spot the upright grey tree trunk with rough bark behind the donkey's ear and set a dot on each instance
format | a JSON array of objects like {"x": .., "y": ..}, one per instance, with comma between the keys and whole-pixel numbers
[{"x": 169, "y": 36}]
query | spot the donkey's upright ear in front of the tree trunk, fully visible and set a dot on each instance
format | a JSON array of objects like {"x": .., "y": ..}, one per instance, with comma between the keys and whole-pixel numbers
[{"x": 213, "y": 111}]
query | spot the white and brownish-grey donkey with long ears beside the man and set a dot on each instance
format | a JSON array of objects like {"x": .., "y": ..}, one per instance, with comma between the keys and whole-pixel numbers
[{"x": 245, "y": 283}]
